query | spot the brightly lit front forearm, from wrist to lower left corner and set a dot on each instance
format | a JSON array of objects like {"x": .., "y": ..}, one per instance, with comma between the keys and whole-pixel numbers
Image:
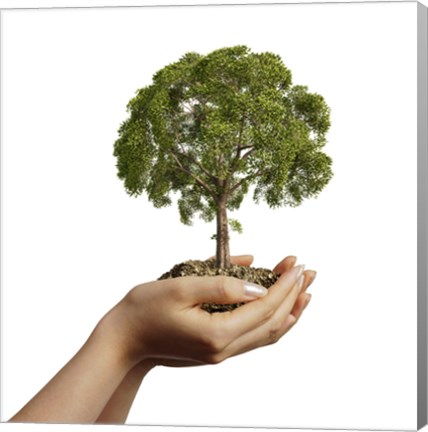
[{"x": 82, "y": 388}]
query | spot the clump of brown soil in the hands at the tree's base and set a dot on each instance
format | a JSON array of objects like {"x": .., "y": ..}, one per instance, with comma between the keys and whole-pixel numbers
[{"x": 260, "y": 276}]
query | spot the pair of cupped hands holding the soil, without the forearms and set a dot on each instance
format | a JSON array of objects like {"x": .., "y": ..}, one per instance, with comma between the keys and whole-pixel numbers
[{"x": 163, "y": 322}]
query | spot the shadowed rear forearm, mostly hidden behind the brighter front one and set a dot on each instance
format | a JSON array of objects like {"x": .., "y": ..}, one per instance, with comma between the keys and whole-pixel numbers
[{"x": 118, "y": 407}]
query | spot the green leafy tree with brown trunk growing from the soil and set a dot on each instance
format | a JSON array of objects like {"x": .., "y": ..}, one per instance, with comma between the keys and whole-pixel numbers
[{"x": 210, "y": 126}]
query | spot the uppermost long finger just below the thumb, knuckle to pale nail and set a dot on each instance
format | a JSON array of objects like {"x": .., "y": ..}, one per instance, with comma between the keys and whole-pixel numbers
[{"x": 254, "y": 314}]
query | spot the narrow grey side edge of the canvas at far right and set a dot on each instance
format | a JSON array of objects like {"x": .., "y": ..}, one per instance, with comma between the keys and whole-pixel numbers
[{"x": 422, "y": 167}]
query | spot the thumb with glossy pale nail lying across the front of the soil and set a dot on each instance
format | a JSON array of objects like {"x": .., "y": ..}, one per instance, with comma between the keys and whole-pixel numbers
[{"x": 221, "y": 290}]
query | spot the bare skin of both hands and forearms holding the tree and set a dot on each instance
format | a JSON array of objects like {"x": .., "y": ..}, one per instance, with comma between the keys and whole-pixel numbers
[{"x": 99, "y": 384}]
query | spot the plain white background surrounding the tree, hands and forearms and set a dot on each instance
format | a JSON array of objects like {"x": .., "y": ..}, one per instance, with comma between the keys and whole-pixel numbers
[{"x": 73, "y": 242}]
